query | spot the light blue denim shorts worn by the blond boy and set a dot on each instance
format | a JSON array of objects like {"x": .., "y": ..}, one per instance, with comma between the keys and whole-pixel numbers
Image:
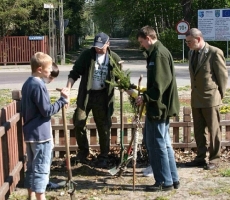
[{"x": 38, "y": 165}]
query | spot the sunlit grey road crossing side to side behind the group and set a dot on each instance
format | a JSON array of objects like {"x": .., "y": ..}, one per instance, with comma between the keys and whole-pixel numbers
[{"x": 12, "y": 77}]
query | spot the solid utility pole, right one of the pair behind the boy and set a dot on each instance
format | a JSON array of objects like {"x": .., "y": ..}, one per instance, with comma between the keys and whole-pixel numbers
[{"x": 62, "y": 35}]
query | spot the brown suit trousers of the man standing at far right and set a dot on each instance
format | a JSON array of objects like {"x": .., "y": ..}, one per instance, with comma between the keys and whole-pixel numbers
[{"x": 207, "y": 120}]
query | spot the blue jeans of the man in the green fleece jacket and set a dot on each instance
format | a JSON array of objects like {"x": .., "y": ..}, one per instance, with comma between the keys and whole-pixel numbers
[{"x": 161, "y": 154}]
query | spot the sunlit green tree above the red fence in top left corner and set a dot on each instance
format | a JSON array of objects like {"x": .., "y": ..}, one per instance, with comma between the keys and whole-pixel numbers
[{"x": 23, "y": 17}]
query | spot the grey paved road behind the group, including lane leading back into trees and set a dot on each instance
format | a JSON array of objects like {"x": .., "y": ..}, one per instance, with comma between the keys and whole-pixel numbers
[{"x": 13, "y": 76}]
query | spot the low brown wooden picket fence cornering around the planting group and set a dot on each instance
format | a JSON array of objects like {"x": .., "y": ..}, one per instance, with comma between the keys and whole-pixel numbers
[{"x": 12, "y": 147}]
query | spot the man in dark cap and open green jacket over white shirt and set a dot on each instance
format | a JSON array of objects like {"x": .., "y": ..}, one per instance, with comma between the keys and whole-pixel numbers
[{"x": 94, "y": 67}]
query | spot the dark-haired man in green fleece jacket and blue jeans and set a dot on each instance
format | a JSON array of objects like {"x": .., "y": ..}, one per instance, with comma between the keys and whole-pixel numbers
[{"x": 162, "y": 102}]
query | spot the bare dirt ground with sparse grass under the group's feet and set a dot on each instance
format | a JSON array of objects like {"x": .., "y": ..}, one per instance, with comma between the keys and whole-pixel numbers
[{"x": 98, "y": 184}]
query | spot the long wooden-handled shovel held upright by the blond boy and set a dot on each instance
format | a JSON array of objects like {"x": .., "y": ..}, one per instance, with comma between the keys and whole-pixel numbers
[{"x": 70, "y": 184}]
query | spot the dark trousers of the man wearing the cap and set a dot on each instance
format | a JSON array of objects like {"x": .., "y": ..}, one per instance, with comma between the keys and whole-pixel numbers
[{"x": 99, "y": 105}]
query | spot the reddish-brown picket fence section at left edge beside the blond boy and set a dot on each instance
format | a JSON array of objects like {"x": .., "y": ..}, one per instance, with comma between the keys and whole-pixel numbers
[{"x": 12, "y": 149}]
